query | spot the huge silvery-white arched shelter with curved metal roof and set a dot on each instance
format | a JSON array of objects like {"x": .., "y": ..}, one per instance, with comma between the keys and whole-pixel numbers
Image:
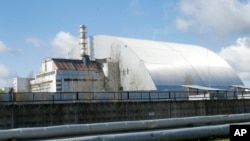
[{"x": 167, "y": 65}]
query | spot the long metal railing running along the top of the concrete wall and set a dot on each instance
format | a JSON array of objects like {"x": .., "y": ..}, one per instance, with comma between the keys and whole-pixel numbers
[{"x": 140, "y": 96}]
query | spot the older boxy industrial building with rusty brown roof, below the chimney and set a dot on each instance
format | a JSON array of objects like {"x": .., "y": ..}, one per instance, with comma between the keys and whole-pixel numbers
[{"x": 67, "y": 75}]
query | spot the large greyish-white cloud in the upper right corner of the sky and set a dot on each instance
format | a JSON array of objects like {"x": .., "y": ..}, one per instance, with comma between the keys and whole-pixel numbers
[{"x": 219, "y": 16}]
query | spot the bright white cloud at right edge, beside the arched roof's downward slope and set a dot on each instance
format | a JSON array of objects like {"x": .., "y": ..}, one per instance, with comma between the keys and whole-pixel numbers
[{"x": 237, "y": 55}]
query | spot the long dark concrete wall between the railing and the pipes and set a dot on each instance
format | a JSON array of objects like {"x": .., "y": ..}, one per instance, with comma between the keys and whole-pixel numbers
[{"x": 34, "y": 115}]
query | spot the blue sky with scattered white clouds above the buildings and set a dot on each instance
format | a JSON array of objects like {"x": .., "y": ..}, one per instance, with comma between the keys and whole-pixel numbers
[{"x": 31, "y": 30}]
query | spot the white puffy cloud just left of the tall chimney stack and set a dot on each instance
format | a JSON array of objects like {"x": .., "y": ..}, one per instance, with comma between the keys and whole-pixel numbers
[{"x": 63, "y": 43}]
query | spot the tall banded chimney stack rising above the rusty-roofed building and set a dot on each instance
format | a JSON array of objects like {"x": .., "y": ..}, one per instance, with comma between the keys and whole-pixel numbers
[{"x": 83, "y": 48}]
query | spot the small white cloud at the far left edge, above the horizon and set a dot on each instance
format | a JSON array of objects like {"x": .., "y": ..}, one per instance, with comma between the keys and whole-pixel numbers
[{"x": 6, "y": 76}]
